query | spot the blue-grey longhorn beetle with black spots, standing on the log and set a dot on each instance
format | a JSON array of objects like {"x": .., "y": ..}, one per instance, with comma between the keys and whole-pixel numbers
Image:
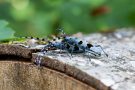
[{"x": 73, "y": 45}]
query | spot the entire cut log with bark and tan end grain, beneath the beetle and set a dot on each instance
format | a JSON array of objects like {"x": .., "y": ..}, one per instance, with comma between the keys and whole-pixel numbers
[{"x": 61, "y": 71}]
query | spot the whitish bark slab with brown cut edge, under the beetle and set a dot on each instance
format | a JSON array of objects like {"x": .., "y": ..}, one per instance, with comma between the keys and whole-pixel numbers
[{"x": 114, "y": 72}]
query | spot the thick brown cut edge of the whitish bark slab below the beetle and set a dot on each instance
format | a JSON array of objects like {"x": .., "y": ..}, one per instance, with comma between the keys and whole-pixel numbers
[{"x": 71, "y": 71}]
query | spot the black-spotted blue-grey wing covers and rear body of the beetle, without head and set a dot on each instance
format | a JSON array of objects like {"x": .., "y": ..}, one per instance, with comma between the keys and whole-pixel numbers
[{"x": 76, "y": 45}]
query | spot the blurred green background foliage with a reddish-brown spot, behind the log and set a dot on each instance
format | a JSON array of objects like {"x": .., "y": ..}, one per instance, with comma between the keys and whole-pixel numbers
[{"x": 43, "y": 17}]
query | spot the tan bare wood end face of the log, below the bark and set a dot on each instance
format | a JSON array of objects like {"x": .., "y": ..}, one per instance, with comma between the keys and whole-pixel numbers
[{"x": 24, "y": 76}]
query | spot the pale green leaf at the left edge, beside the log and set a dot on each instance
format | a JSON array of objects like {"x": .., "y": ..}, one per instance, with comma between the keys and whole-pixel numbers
[{"x": 5, "y": 32}]
